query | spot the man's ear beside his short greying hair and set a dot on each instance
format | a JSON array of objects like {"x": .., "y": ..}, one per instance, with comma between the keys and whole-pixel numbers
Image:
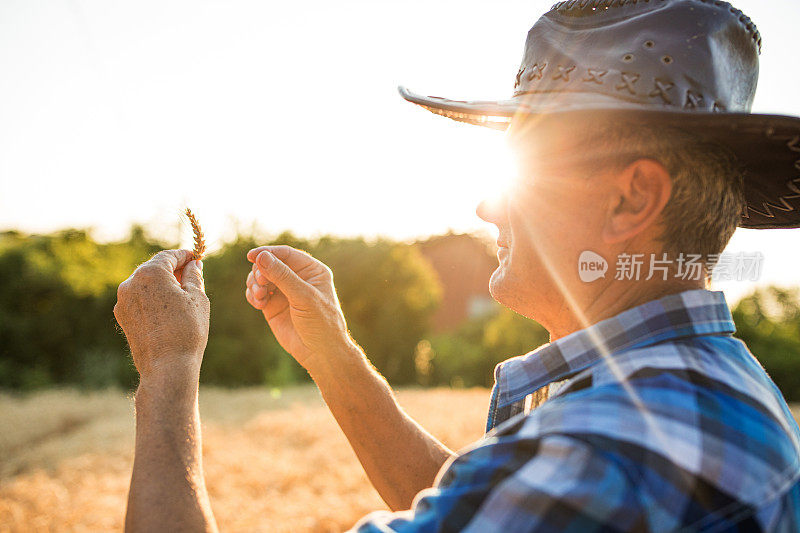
[{"x": 640, "y": 192}]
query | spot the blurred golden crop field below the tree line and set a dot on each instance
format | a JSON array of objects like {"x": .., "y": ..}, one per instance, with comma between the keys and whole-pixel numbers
[{"x": 274, "y": 460}]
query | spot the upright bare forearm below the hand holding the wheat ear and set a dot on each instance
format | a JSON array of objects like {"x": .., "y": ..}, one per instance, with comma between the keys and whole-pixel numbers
[{"x": 168, "y": 491}]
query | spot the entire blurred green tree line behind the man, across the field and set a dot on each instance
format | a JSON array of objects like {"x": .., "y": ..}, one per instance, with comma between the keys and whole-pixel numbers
[{"x": 57, "y": 292}]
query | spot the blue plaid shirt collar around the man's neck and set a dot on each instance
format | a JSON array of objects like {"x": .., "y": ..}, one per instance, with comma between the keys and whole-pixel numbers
[{"x": 685, "y": 314}]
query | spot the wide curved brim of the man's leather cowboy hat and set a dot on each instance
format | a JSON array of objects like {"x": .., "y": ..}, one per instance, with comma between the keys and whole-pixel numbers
[{"x": 767, "y": 146}]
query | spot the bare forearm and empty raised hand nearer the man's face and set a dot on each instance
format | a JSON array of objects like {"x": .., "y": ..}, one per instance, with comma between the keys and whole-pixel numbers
[{"x": 296, "y": 294}]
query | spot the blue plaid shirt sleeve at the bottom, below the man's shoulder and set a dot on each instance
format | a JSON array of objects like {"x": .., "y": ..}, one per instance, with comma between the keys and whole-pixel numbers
[{"x": 554, "y": 483}]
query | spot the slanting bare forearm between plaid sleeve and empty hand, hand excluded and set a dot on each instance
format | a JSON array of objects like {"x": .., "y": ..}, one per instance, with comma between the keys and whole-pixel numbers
[{"x": 398, "y": 455}]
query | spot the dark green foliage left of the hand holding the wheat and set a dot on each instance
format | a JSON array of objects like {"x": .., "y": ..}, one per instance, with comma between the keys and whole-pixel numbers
[{"x": 56, "y": 295}]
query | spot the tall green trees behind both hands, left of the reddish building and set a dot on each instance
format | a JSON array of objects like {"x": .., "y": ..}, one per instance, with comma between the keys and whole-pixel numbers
[{"x": 57, "y": 294}]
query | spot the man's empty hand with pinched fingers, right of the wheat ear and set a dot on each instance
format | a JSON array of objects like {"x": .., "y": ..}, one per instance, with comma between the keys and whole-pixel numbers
[{"x": 296, "y": 294}]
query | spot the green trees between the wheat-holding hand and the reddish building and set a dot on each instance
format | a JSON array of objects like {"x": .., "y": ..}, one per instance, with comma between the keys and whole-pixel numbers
[{"x": 388, "y": 293}]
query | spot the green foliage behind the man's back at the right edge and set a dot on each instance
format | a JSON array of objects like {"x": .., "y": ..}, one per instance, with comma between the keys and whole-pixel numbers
[{"x": 768, "y": 321}]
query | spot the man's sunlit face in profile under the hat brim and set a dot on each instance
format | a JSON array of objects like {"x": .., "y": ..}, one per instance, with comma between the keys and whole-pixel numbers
[{"x": 552, "y": 213}]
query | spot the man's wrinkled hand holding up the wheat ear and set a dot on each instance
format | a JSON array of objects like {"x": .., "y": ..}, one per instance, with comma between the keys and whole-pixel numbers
[{"x": 164, "y": 311}]
